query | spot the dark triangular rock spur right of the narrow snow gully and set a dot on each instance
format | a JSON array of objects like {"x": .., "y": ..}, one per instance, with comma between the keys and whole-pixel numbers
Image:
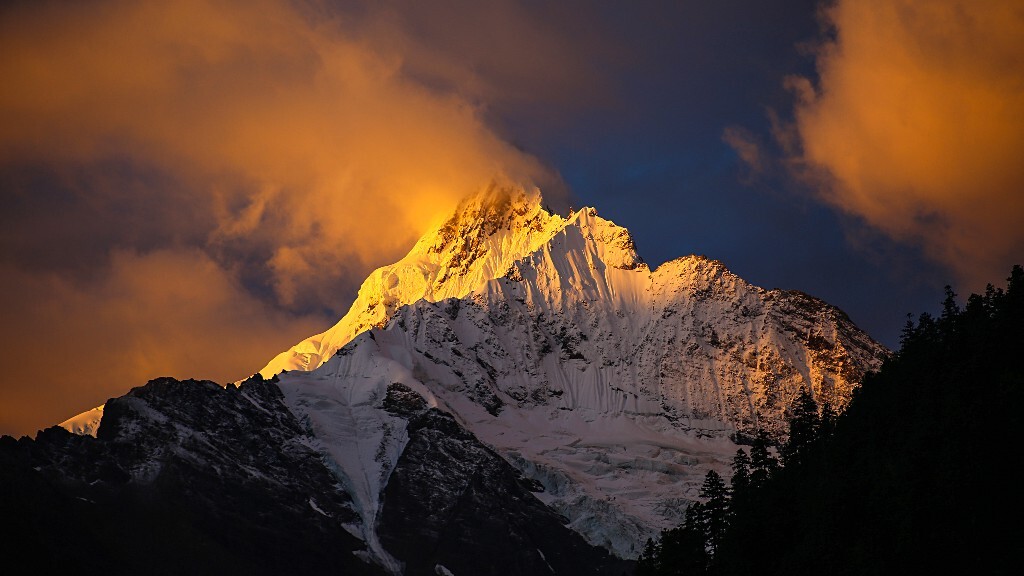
[{"x": 453, "y": 503}]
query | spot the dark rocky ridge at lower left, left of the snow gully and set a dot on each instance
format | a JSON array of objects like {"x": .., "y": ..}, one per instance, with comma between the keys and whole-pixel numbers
[{"x": 184, "y": 477}]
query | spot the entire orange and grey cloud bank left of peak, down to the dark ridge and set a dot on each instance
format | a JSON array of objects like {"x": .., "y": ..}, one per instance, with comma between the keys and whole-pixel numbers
[{"x": 191, "y": 187}]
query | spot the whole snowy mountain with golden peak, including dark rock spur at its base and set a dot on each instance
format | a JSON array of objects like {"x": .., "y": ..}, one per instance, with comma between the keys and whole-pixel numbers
[{"x": 516, "y": 348}]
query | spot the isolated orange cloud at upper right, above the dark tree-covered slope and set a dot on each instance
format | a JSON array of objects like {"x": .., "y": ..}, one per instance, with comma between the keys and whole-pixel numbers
[{"x": 917, "y": 125}]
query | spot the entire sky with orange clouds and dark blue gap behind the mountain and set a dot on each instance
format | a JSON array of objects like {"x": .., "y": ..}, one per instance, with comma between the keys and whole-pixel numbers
[{"x": 191, "y": 188}]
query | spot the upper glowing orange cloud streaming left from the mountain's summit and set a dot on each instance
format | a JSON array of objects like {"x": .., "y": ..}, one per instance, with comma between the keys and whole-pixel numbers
[{"x": 278, "y": 124}]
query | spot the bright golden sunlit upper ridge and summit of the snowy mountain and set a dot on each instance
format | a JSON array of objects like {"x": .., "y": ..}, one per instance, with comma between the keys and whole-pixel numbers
[{"x": 482, "y": 241}]
